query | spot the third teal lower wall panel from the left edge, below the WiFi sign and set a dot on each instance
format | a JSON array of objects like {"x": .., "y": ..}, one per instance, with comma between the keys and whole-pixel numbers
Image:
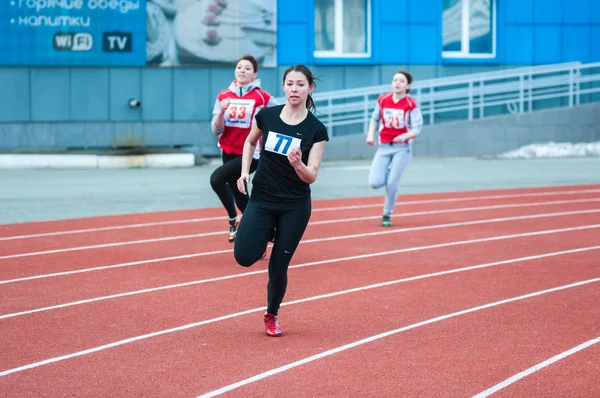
[{"x": 89, "y": 94}]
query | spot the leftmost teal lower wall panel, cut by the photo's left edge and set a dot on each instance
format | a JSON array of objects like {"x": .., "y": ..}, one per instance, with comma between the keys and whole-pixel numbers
[{"x": 14, "y": 95}]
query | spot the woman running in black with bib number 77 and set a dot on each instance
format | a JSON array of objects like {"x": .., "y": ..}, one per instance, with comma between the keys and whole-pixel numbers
[{"x": 293, "y": 142}]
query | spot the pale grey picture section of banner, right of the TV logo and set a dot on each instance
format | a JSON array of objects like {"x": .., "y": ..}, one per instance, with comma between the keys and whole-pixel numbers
[{"x": 210, "y": 32}]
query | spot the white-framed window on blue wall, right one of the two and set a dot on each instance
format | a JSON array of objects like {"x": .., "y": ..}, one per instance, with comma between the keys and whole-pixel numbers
[{"x": 469, "y": 28}]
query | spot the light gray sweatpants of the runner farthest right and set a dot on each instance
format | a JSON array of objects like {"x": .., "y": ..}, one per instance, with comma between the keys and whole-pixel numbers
[{"x": 389, "y": 163}]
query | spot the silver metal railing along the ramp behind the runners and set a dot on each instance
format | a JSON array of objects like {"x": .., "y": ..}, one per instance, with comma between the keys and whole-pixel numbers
[{"x": 468, "y": 97}]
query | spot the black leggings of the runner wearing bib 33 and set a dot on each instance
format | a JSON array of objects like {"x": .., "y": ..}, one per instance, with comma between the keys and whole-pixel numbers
[{"x": 224, "y": 182}]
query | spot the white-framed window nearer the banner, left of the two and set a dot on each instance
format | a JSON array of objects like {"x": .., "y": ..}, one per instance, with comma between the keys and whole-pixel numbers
[{"x": 342, "y": 28}]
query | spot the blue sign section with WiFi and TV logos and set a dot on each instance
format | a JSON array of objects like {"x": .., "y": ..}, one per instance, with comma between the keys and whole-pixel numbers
[{"x": 73, "y": 32}]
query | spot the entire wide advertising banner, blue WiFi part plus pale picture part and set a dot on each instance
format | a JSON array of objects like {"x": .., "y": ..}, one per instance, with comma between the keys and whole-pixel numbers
[{"x": 162, "y": 33}]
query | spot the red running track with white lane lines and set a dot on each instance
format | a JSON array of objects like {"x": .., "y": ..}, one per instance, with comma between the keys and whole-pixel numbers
[{"x": 81, "y": 347}]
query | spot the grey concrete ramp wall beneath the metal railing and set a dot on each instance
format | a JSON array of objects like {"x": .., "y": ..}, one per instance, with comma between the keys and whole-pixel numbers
[{"x": 487, "y": 136}]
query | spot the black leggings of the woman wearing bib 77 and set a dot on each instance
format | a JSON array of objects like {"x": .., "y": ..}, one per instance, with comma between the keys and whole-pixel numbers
[{"x": 290, "y": 221}]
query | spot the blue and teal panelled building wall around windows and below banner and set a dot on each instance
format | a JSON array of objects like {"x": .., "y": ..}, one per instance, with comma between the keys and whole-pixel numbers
[{"x": 46, "y": 107}]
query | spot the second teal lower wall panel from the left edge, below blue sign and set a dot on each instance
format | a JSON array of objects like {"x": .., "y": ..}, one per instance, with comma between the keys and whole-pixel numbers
[{"x": 50, "y": 94}]
